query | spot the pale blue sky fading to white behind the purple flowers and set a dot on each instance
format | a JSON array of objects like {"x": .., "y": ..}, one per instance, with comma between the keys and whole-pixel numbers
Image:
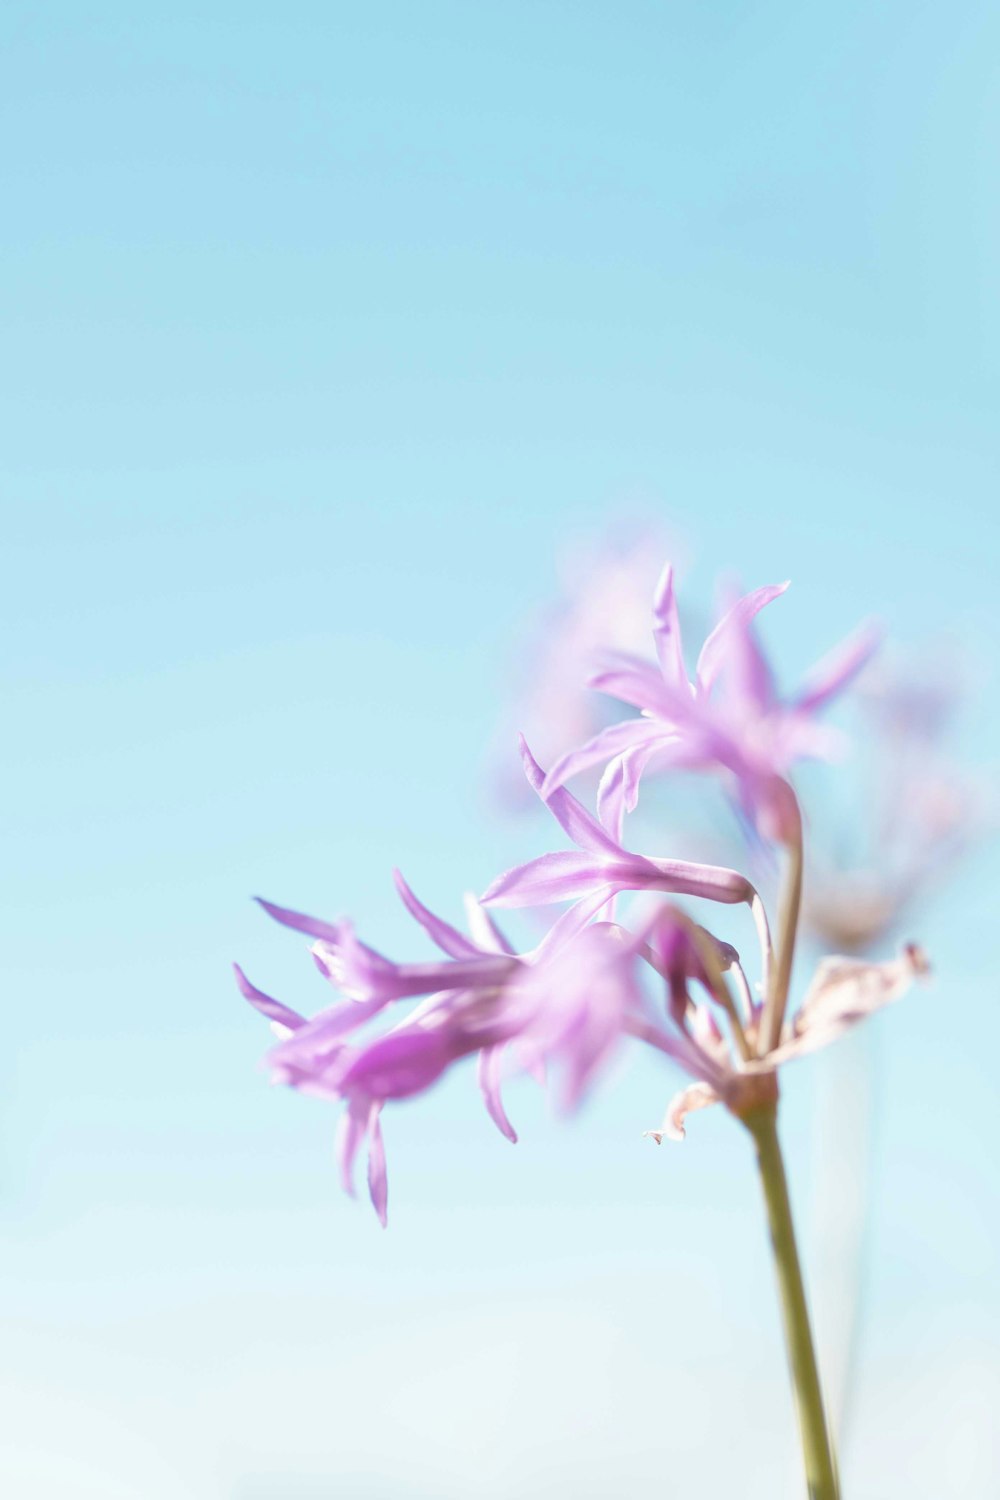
[{"x": 326, "y": 328}]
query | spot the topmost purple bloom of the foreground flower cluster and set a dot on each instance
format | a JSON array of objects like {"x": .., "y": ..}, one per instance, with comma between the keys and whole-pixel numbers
[{"x": 728, "y": 719}]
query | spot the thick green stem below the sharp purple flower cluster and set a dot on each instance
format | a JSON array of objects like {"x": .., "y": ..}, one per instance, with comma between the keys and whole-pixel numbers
[{"x": 821, "y": 1466}]
